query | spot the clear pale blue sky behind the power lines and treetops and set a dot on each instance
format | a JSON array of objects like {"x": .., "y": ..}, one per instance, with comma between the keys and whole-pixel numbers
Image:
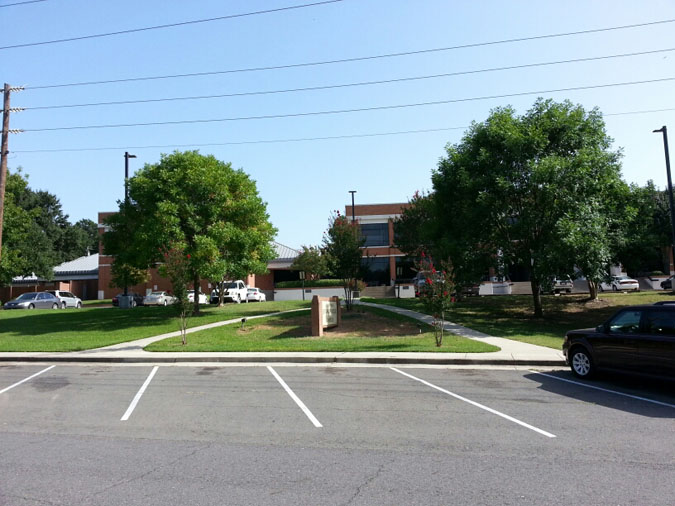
[{"x": 303, "y": 181}]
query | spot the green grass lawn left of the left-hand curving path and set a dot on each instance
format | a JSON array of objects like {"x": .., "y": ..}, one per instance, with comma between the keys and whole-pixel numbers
[{"x": 93, "y": 327}]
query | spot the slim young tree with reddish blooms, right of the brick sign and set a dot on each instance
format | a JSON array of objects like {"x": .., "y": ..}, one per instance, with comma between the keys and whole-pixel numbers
[{"x": 436, "y": 294}]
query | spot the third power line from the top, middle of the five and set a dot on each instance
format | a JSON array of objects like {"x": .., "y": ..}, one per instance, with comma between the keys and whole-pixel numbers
[{"x": 347, "y": 85}]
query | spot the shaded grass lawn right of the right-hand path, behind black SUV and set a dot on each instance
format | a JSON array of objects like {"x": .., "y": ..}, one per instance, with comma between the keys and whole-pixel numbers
[{"x": 510, "y": 316}]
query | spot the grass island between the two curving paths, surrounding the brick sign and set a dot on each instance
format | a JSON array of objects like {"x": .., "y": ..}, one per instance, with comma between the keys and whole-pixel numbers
[{"x": 371, "y": 330}]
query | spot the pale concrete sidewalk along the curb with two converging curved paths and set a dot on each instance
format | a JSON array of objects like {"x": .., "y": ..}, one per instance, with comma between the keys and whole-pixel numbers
[{"x": 512, "y": 353}]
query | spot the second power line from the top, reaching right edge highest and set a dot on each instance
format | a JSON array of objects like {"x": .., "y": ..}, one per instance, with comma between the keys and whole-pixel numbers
[{"x": 346, "y": 60}]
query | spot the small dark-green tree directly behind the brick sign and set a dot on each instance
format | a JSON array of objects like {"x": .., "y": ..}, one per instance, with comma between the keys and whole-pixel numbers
[{"x": 342, "y": 244}]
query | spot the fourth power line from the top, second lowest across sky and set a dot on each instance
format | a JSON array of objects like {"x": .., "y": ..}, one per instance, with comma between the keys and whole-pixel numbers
[{"x": 344, "y": 111}]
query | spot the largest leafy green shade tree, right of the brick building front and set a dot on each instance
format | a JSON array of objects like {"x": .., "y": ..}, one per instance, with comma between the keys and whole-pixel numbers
[{"x": 513, "y": 186}]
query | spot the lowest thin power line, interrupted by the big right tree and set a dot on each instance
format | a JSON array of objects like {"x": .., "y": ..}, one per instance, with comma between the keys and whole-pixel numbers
[{"x": 296, "y": 139}]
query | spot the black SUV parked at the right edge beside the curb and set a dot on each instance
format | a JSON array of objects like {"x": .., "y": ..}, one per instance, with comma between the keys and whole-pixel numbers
[{"x": 636, "y": 339}]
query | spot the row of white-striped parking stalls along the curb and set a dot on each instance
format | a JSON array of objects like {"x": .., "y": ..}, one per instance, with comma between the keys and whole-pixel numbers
[{"x": 329, "y": 403}]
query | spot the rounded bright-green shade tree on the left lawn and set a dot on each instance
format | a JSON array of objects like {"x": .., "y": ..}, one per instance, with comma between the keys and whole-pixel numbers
[{"x": 211, "y": 209}]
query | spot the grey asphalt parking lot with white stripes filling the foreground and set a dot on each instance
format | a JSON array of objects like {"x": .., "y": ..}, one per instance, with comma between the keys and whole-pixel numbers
[{"x": 100, "y": 434}]
